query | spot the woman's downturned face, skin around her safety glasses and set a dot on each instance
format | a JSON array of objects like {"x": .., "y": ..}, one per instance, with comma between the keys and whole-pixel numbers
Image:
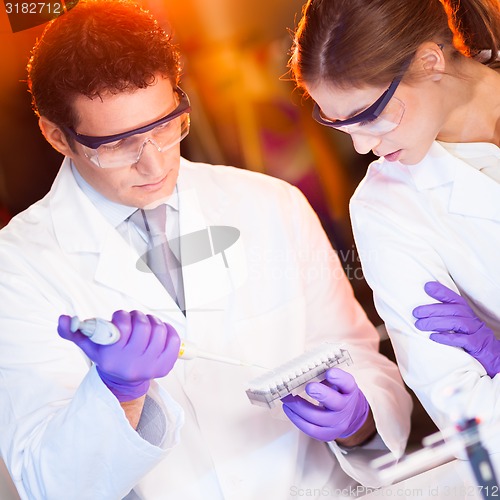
[{"x": 410, "y": 140}]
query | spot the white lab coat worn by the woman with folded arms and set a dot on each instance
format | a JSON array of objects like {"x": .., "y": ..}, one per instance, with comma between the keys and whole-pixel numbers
[{"x": 437, "y": 220}]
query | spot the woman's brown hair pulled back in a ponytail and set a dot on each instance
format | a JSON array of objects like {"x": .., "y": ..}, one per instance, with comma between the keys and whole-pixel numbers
[{"x": 367, "y": 42}]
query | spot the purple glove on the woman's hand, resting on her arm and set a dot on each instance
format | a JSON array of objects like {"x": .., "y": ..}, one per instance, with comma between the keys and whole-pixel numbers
[{"x": 458, "y": 326}]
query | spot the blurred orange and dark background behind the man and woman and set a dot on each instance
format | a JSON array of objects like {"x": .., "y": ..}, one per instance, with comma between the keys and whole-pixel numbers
[{"x": 245, "y": 112}]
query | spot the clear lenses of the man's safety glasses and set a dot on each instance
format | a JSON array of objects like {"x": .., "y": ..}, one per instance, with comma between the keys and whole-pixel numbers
[{"x": 126, "y": 152}]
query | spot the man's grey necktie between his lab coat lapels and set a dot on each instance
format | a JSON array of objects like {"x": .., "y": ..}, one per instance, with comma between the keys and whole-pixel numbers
[{"x": 160, "y": 258}]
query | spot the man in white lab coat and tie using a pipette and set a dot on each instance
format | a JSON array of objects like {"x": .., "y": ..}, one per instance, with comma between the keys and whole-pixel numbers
[{"x": 82, "y": 420}]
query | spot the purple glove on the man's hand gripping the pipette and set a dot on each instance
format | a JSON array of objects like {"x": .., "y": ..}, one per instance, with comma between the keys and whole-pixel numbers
[{"x": 147, "y": 349}]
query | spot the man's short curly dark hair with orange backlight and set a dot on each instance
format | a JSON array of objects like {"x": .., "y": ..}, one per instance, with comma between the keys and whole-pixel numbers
[{"x": 97, "y": 48}]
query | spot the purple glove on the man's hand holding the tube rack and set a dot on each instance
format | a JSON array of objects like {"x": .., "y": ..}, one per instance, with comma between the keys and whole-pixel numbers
[{"x": 342, "y": 411}]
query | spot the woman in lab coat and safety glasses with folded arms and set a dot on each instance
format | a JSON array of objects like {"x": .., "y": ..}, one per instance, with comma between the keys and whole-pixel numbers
[{"x": 418, "y": 83}]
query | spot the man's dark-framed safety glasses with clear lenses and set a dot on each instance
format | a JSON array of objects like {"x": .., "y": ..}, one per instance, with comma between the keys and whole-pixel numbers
[{"x": 125, "y": 149}]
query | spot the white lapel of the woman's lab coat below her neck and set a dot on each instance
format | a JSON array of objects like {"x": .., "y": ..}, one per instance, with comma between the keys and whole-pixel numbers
[{"x": 472, "y": 194}]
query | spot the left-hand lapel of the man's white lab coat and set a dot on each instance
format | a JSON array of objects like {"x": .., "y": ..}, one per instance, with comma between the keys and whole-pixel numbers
[{"x": 80, "y": 228}]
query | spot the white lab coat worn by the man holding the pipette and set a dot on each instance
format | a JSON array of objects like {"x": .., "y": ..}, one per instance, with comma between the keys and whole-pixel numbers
[{"x": 62, "y": 433}]
